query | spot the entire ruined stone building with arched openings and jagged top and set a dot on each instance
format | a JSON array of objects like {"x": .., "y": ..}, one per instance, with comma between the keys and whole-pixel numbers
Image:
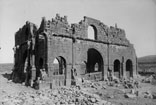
[{"x": 59, "y": 47}]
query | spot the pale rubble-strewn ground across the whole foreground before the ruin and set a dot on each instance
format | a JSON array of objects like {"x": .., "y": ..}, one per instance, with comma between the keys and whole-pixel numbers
[{"x": 90, "y": 93}]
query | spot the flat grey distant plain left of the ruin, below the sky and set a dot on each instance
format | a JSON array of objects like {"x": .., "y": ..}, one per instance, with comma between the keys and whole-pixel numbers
[{"x": 6, "y": 67}]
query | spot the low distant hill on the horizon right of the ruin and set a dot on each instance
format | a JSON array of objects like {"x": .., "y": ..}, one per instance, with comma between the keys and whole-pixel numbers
[{"x": 147, "y": 59}]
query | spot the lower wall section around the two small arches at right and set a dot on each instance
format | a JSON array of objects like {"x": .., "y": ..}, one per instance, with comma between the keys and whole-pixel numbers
[{"x": 122, "y": 53}]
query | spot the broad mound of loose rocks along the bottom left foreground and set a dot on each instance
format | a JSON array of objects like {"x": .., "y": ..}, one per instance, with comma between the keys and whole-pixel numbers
[{"x": 60, "y": 96}]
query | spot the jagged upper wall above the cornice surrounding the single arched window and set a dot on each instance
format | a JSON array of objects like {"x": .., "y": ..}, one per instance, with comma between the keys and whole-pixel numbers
[{"x": 112, "y": 35}]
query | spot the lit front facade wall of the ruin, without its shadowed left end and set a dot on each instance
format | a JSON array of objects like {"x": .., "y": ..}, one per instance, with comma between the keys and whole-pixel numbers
[{"x": 72, "y": 43}]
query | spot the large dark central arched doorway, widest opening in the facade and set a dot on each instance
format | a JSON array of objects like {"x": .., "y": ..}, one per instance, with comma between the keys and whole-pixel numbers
[{"x": 94, "y": 63}]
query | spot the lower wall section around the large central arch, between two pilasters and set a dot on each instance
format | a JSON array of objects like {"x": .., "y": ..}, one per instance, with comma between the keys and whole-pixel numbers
[{"x": 81, "y": 49}]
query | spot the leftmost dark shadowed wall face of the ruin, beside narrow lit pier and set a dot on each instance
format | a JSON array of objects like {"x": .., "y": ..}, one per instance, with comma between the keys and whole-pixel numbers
[{"x": 21, "y": 51}]
